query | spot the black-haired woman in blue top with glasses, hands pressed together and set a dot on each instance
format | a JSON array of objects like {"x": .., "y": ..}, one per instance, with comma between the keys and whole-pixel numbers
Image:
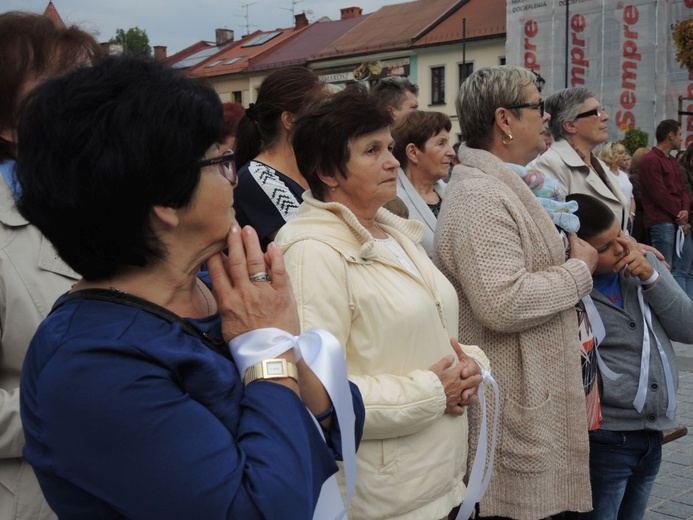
[{"x": 144, "y": 394}]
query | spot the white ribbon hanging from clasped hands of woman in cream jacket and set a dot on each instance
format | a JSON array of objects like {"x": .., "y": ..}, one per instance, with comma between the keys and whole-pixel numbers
[{"x": 478, "y": 482}]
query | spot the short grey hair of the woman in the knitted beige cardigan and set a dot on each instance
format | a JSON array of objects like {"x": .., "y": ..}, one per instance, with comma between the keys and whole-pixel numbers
[{"x": 482, "y": 93}]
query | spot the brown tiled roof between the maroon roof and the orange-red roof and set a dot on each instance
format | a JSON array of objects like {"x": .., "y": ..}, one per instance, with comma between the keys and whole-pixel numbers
[{"x": 392, "y": 27}]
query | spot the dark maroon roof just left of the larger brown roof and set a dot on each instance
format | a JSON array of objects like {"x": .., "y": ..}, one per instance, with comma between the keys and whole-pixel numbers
[{"x": 305, "y": 45}]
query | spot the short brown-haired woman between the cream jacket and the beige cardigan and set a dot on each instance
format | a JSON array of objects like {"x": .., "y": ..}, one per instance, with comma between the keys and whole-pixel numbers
[{"x": 424, "y": 152}]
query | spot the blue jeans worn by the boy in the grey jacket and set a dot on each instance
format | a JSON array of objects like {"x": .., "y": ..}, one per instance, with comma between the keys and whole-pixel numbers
[{"x": 623, "y": 468}]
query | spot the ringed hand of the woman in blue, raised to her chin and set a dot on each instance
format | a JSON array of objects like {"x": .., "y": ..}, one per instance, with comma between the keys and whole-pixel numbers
[{"x": 245, "y": 305}]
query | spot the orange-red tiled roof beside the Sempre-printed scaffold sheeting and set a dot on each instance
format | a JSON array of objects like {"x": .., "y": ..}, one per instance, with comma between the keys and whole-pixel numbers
[{"x": 484, "y": 18}]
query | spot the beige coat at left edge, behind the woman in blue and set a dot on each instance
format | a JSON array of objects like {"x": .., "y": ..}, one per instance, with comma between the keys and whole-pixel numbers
[{"x": 32, "y": 277}]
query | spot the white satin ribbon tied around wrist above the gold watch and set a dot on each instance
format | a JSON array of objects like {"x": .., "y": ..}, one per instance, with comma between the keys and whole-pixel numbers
[{"x": 322, "y": 352}]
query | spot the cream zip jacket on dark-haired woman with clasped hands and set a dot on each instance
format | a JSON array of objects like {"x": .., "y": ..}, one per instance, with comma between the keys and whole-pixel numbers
[{"x": 393, "y": 326}]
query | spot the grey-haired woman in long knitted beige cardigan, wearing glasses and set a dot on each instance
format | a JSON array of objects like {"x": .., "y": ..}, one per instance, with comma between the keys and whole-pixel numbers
[{"x": 517, "y": 292}]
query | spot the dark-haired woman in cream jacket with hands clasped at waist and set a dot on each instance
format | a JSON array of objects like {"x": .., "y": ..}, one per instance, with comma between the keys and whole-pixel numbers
[{"x": 360, "y": 271}]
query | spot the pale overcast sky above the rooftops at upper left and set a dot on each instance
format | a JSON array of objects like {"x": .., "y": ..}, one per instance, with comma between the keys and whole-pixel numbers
[{"x": 180, "y": 23}]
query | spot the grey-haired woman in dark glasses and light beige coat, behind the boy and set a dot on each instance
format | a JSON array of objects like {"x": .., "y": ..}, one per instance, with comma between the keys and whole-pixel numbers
[{"x": 578, "y": 125}]
